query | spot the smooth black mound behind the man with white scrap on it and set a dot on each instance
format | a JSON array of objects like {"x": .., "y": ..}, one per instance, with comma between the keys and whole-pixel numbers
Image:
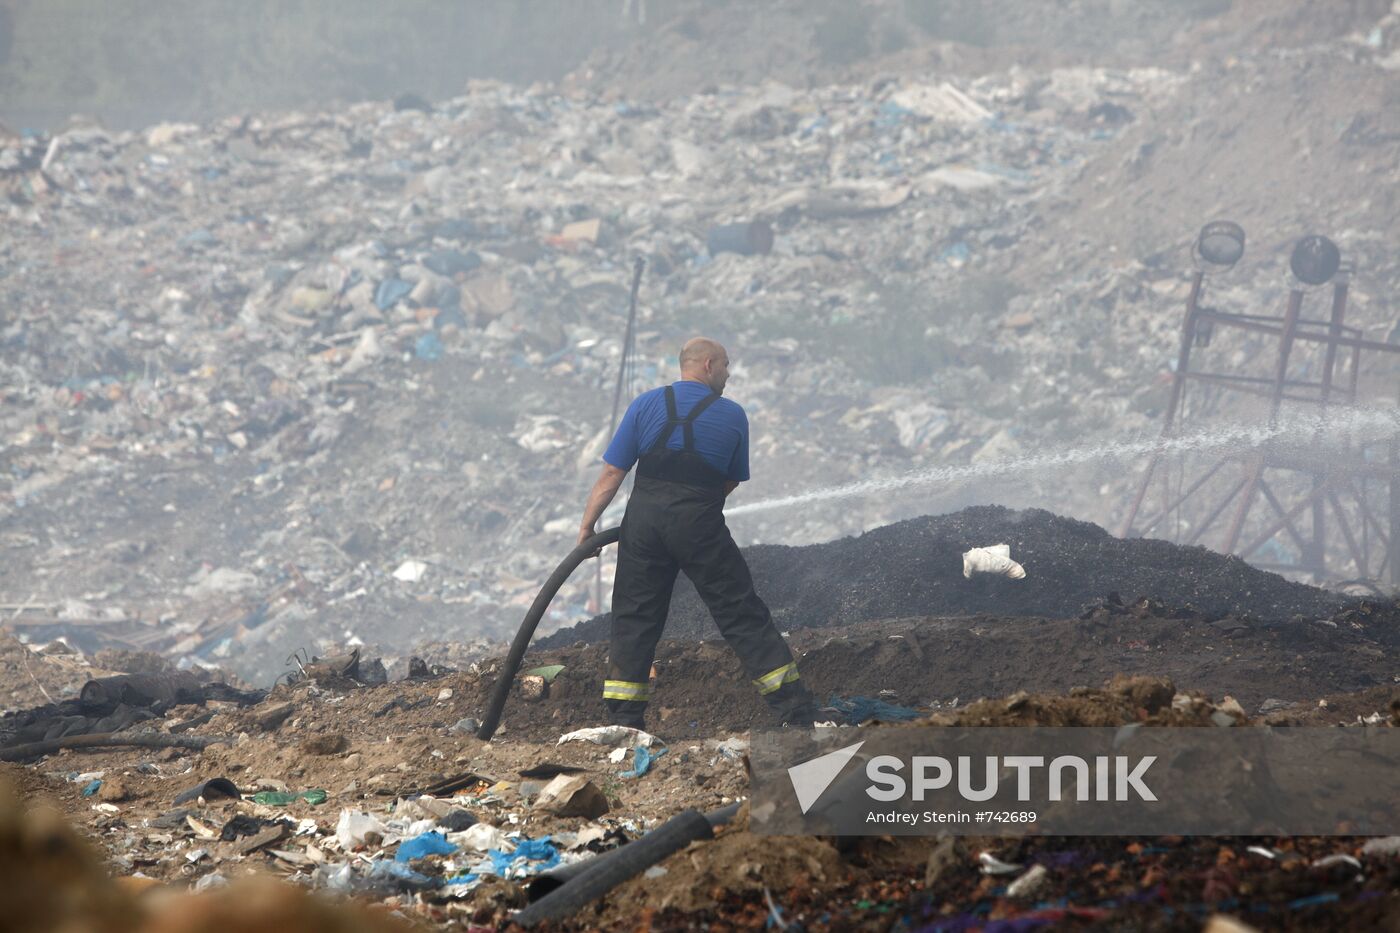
[{"x": 915, "y": 569}]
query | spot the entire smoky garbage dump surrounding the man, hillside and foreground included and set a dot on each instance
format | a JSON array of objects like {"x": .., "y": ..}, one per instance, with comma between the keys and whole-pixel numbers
[{"x": 299, "y": 411}]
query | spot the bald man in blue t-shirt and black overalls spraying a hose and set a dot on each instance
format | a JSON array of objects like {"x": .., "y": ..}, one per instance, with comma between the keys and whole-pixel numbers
[{"x": 692, "y": 450}]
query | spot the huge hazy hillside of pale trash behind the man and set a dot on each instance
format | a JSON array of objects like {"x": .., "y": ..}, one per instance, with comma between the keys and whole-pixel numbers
[{"x": 292, "y": 380}]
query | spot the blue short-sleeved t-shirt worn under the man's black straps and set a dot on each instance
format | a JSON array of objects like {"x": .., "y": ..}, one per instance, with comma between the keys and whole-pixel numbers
[{"x": 722, "y": 432}]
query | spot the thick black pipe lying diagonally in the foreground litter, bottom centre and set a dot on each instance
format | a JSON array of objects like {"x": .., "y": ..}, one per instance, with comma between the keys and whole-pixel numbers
[{"x": 603, "y": 875}]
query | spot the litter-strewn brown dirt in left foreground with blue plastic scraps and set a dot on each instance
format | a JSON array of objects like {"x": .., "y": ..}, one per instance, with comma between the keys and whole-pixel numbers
[{"x": 439, "y": 848}]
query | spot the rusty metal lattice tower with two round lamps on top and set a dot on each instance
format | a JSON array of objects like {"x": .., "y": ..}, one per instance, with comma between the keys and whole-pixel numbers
[{"x": 1291, "y": 508}]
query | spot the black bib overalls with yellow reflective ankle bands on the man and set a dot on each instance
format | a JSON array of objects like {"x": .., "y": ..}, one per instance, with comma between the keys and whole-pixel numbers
[{"x": 675, "y": 522}]
